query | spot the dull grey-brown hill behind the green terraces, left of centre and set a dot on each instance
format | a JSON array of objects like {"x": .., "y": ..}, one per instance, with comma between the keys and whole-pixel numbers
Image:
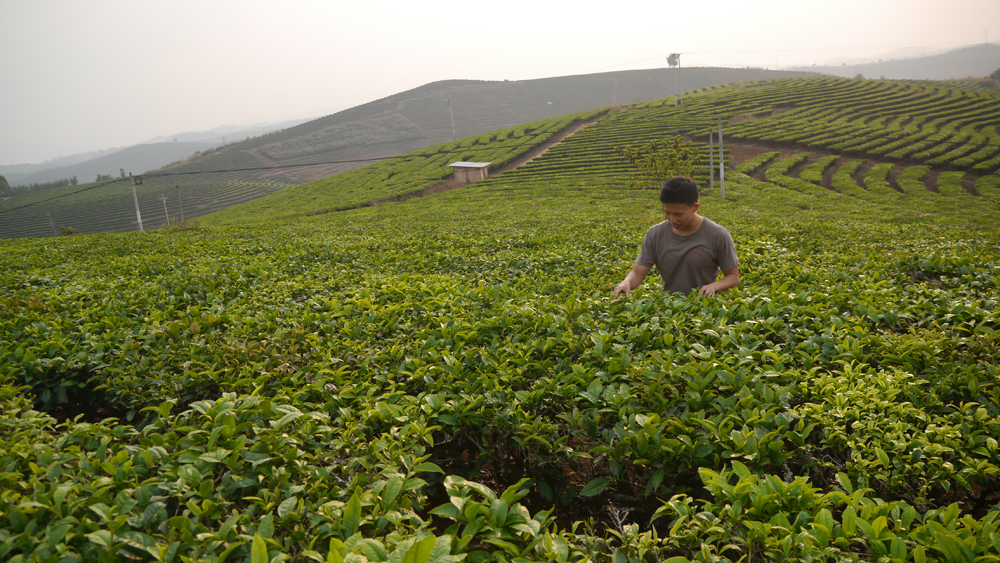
[{"x": 383, "y": 128}]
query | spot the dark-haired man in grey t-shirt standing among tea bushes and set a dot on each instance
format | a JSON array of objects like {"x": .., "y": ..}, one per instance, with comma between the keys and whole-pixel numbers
[{"x": 687, "y": 249}]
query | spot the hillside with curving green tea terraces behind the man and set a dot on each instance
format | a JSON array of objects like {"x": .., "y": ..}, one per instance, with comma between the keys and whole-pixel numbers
[{"x": 867, "y": 139}]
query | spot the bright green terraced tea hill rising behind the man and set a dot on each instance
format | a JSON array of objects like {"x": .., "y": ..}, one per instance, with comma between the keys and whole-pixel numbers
[{"x": 881, "y": 125}]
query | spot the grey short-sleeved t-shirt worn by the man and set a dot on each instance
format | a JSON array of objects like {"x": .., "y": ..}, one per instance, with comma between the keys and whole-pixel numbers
[{"x": 690, "y": 261}]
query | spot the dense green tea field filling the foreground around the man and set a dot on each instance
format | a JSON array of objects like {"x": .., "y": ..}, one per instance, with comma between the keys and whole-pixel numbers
[{"x": 450, "y": 379}]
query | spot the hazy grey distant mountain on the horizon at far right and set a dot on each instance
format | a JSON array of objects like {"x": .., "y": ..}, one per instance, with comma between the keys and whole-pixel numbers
[{"x": 976, "y": 61}]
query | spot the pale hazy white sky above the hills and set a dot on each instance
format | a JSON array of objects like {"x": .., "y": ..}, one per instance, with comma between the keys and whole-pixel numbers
[{"x": 80, "y": 75}]
